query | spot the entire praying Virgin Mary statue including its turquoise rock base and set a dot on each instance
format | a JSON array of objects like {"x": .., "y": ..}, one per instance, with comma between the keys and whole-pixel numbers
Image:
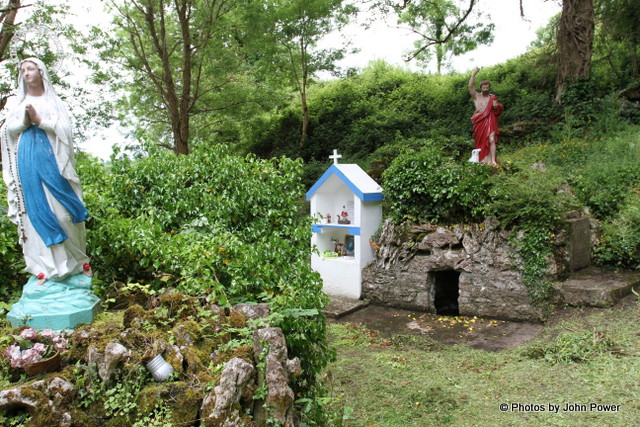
[{"x": 45, "y": 202}]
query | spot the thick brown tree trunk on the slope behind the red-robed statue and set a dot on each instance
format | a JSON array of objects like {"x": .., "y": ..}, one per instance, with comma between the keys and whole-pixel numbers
[{"x": 575, "y": 43}]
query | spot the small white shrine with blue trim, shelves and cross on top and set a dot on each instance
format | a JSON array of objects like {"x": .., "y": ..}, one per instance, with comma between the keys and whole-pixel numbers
[{"x": 347, "y": 206}]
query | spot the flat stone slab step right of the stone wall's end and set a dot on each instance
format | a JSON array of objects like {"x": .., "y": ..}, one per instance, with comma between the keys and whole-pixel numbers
[{"x": 597, "y": 288}]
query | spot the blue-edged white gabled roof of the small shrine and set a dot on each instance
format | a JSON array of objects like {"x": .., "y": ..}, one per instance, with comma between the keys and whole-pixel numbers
[{"x": 356, "y": 179}]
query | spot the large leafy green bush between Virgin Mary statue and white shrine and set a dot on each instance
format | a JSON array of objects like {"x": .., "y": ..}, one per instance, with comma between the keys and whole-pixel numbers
[{"x": 212, "y": 224}]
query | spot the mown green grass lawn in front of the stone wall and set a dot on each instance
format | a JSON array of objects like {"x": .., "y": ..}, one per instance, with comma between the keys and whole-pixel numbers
[{"x": 581, "y": 357}]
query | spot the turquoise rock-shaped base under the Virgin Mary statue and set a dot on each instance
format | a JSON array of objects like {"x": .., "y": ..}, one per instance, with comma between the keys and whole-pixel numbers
[{"x": 58, "y": 305}]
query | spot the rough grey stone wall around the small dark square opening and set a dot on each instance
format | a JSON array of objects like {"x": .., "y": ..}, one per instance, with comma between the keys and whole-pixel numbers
[{"x": 410, "y": 260}]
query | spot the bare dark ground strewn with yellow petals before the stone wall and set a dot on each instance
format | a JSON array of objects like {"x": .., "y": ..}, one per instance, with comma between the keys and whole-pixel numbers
[{"x": 484, "y": 334}]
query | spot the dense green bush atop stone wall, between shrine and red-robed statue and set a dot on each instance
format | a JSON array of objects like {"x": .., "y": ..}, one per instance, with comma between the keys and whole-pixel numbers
[{"x": 427, "y": 186}]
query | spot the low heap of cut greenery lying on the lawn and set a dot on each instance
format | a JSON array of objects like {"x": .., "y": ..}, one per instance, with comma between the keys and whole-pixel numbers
[{"x": 572, "y": 347}]
